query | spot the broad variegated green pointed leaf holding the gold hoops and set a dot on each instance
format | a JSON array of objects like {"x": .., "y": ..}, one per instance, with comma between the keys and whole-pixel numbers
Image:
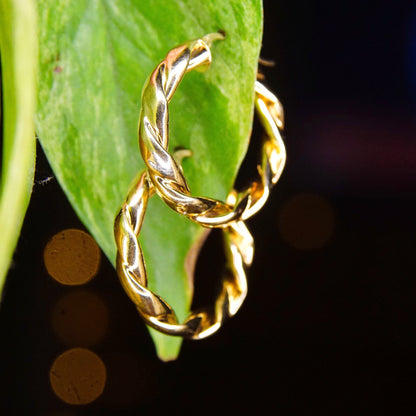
[{"x": 94, "y": 59}]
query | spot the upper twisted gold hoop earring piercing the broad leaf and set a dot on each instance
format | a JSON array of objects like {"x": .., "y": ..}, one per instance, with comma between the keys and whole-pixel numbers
[{"x": 164, "y": 172}]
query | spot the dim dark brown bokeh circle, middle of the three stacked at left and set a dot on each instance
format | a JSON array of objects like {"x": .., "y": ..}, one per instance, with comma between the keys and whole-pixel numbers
[{"x": 80, "y": 318}]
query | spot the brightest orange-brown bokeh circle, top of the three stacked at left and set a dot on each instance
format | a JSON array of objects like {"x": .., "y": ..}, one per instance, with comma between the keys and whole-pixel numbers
[{"x": 72, "y": 257}]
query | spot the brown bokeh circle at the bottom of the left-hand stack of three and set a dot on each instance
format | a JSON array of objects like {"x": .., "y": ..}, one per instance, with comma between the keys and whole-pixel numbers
[{"x": 78, "y": 376}]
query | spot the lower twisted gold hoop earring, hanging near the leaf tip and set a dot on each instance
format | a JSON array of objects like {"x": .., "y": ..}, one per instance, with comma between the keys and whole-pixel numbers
[{"x": 156, "y": 311}]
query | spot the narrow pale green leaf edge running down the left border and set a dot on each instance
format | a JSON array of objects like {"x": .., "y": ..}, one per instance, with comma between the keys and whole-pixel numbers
[{"x": 18, "y": 49}]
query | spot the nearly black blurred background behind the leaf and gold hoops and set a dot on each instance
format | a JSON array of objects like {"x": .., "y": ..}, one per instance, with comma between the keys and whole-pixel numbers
[{"x": 324, "y": 331}]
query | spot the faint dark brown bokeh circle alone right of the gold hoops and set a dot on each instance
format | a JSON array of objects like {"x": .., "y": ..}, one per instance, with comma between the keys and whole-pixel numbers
[{"x": 306, "y": 221}]
